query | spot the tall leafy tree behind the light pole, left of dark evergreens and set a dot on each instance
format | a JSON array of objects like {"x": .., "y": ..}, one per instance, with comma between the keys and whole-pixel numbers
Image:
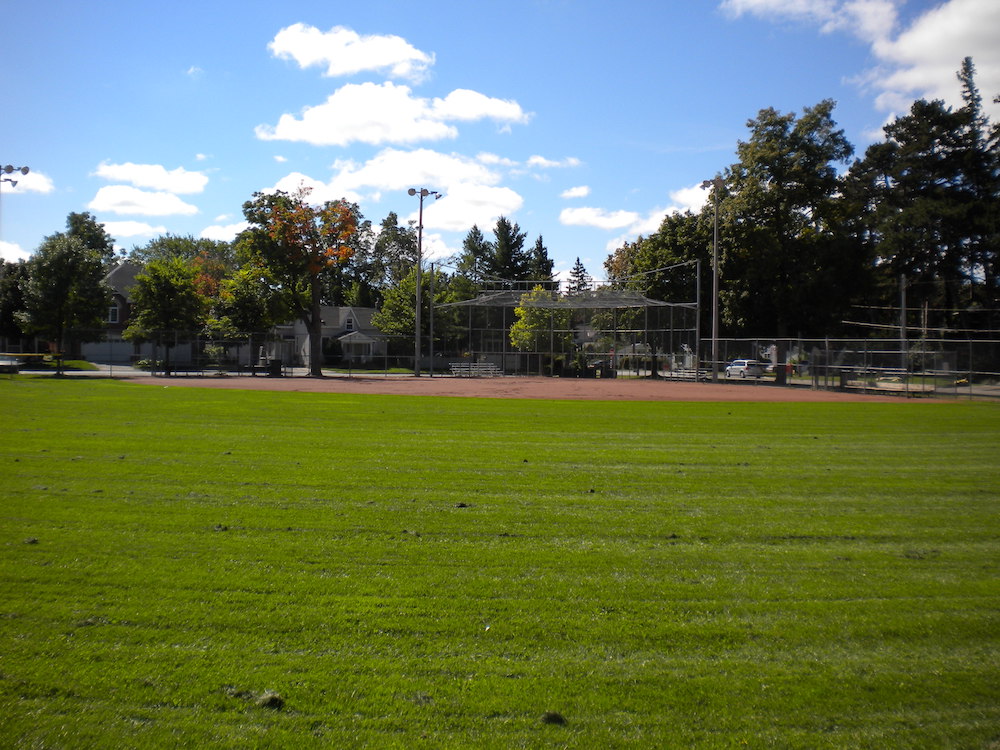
[{"x": 779, "y": 235}]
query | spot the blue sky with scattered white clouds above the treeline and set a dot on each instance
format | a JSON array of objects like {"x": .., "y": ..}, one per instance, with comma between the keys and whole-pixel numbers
[{"x": 583, "y": 121}]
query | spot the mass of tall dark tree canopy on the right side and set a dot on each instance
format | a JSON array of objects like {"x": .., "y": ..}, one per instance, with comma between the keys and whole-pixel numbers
[{"x": 804, "y": 240}]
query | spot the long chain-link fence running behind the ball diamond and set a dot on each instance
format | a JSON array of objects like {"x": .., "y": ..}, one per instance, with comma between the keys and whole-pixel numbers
[{"x": 912, "y": 367}]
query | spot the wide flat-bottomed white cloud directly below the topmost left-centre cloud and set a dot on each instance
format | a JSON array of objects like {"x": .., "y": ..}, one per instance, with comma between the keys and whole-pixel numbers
[{"x": 386, "y": 113}]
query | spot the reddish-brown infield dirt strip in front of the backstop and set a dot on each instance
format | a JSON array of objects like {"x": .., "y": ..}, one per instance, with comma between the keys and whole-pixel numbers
[{"x": 524, "y": 387}]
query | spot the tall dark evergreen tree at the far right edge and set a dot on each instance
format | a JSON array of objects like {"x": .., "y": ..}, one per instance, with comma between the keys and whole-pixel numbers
[{"x": 927, "y": 198}]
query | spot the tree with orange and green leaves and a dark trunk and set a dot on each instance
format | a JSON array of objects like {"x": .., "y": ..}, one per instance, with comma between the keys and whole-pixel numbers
[{"x": 297, "y": 243}]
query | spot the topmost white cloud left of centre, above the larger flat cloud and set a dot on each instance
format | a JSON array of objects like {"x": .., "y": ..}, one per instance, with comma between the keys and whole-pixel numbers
[{"x": 344, "y": 52}]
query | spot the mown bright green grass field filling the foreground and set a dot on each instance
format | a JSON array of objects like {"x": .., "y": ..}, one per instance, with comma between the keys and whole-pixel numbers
[{"x": 204, "y": 568}]
